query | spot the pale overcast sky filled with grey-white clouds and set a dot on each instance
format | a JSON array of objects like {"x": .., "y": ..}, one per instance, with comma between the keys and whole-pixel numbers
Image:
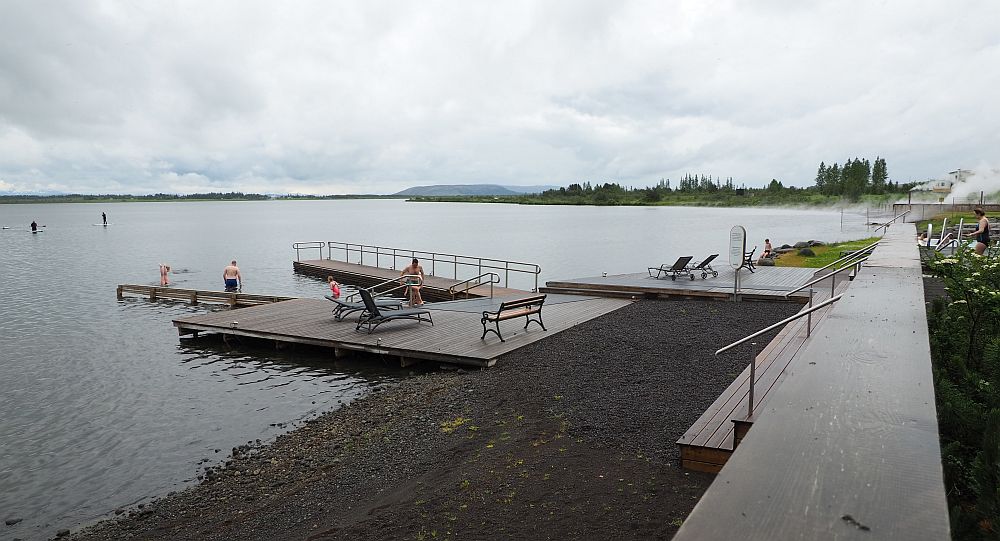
[{"x": 374, "y": 97}]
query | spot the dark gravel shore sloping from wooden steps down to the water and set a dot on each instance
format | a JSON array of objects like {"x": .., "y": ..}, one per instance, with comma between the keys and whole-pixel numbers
[{"x": 572, "y": 437}]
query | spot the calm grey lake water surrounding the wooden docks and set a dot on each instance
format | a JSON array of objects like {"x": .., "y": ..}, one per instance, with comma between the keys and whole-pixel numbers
[{"x": 104, "y": 406}]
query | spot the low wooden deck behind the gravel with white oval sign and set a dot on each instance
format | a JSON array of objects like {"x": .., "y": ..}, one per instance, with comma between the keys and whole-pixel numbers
[{"x": 770, "y": 283}]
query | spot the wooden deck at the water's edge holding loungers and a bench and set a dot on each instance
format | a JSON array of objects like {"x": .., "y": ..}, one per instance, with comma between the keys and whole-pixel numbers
[{"x": 454, "y": 337}]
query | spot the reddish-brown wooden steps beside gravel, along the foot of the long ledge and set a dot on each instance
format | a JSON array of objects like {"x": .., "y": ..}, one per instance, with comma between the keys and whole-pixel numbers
[{"x": 711, "y": 440}]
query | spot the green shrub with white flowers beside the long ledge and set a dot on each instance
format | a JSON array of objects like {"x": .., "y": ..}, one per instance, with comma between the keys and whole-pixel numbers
[{"x": 965, "y": 347}]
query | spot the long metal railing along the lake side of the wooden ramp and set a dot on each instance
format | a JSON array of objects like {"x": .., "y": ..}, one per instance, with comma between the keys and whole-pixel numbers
[{"x": 380, "y": 256}]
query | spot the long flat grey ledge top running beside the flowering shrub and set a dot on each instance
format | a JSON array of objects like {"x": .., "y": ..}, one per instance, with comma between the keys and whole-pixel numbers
[{"x": 849, "y": 446}]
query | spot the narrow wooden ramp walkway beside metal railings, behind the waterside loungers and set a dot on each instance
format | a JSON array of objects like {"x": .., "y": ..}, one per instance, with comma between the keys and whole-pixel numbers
[{"x": 435, "y": 287}]
